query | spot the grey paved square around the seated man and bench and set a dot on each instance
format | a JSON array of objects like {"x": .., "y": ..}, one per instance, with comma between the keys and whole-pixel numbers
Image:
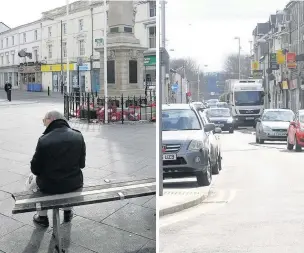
[{"x": 114, "y": 152}]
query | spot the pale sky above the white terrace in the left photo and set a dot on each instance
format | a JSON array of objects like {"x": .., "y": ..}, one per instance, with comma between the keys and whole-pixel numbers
[{"x": 18, "y": 12}]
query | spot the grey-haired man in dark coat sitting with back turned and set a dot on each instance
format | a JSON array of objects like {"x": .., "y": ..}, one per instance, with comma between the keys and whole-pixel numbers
[{"x": 57, "y": 162}]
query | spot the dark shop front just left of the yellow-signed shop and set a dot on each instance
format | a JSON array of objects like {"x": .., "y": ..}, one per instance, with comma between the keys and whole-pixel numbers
[{"x": 29, "y": 73}]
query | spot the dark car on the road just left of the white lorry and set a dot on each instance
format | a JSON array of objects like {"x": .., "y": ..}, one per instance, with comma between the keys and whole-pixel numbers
[{"x": 221, "y": 117}]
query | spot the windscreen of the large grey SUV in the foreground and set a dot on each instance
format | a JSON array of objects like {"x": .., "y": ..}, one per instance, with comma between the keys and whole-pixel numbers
[{"x": 180, "y": 119}]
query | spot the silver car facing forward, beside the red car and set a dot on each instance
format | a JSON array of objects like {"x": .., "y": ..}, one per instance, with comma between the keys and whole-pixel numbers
[{"x": 273, "y": 125}]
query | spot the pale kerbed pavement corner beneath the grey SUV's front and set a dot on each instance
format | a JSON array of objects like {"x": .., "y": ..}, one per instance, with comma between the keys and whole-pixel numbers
[{"x": 182, "y": 195}]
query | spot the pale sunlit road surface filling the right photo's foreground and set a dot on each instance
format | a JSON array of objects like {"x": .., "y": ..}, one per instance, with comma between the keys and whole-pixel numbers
[{"x": 255, "y": 205}]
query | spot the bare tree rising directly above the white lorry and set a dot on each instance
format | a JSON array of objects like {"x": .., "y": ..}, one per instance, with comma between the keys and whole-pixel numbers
[{"x": 232, "y": 66}]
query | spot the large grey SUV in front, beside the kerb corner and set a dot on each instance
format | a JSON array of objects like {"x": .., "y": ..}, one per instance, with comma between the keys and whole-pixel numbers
[{"x": 186, "y": 144}]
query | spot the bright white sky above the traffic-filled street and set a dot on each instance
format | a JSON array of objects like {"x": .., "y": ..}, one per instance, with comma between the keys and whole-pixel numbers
[{"x": 205, "y": 29}]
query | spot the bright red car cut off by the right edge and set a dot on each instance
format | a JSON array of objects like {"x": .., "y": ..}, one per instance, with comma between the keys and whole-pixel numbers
[{"x": 295, "y": 133}]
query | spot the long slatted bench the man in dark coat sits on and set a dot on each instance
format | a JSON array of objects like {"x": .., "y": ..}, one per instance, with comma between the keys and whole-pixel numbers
[{"x": 36, "y": 201}]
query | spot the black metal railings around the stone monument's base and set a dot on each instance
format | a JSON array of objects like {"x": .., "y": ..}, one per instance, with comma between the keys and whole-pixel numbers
[{"x": 90, "y": 107}]
